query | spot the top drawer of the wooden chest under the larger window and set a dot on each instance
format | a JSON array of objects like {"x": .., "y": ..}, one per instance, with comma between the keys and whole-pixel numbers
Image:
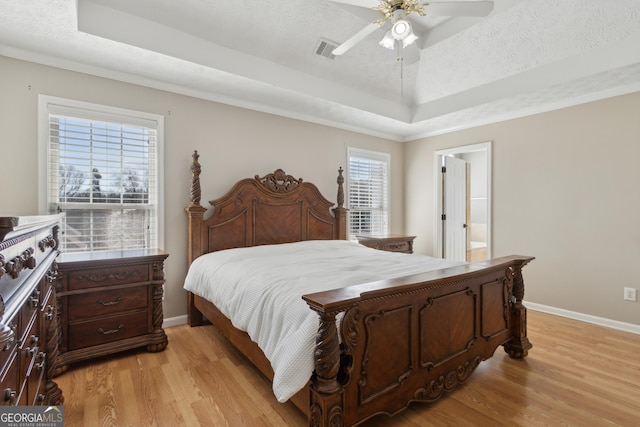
[{"x": 117, "y": 275}]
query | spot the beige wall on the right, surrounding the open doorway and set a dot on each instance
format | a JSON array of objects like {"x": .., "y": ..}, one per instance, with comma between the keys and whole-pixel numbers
[{"x": 565, "y": 190}]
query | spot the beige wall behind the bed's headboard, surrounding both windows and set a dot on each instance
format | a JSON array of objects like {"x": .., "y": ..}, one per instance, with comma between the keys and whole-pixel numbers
[{"x": 234, "y": 143}]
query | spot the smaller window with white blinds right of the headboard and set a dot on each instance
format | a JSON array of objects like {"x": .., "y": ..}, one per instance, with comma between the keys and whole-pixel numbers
[{"x": 368, "y": 192}]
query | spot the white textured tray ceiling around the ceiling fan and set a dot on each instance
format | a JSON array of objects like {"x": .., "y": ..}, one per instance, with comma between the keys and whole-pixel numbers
[{"x": 525, "y": 57}]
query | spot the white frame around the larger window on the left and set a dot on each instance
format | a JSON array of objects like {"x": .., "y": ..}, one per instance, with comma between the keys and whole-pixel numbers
[{"x": 48, "y": 105}]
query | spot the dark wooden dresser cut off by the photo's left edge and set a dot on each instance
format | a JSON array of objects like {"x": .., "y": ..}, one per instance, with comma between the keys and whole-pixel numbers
[{"x": 28, "y": 328}]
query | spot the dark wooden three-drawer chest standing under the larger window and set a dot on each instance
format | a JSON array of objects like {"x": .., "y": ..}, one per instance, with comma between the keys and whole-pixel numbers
[{"x": 109, "y": 302}]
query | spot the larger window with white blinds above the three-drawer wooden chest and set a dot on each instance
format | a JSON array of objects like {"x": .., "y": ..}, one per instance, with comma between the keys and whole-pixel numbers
[{"x": 102, "y": 171}]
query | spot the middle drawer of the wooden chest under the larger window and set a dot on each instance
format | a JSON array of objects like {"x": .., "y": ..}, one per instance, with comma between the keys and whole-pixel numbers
[{"x": 106, "y": 303}]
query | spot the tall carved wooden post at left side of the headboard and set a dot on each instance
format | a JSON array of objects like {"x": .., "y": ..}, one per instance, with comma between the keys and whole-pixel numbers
[{"x": 195, "y": 214}]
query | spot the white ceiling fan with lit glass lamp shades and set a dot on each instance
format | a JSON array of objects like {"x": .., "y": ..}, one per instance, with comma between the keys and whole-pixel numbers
[{"x": 397, "y": 11}]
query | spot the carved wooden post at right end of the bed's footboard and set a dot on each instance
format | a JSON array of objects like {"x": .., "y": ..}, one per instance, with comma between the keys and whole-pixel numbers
[{"x": 518, "y": 346}]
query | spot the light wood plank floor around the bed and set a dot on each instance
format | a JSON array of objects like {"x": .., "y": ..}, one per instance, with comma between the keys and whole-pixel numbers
[{"x": 577, "y": 374}]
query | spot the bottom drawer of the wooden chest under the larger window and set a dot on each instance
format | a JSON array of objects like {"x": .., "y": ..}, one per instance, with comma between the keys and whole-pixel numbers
[{"x": 102, "y": 331}]
